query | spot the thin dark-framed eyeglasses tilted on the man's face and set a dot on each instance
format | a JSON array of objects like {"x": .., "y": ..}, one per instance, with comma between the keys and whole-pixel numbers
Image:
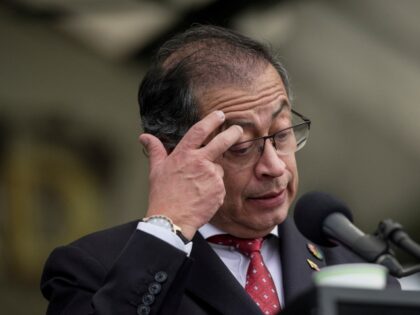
[{"x": 285, "y": 141}]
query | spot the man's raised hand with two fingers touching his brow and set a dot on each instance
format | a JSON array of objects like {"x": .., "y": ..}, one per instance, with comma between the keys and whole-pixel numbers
[{"x": 187, "y": 185}]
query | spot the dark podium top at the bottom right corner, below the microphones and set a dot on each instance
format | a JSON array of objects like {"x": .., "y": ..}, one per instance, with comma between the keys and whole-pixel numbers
[{"x": 349, "y": 301}]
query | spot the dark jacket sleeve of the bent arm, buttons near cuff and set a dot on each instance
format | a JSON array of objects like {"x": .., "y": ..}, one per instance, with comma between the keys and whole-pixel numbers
[{"x": 148, "y": 277}]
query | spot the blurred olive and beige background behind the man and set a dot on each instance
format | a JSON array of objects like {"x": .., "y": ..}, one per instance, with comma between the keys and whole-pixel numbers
[{"x": 70, "y": 162}]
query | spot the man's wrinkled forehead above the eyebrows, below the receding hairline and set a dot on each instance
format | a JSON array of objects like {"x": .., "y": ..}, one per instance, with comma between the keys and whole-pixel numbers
[{"x": 254, "y": 104}]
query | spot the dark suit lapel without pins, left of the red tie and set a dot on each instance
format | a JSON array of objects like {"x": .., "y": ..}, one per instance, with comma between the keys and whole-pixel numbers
[{"x": 212, "y": 282}]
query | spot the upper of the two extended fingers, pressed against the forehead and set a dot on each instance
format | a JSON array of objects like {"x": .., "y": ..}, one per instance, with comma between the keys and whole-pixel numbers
[{"x": 197, "y": 134}]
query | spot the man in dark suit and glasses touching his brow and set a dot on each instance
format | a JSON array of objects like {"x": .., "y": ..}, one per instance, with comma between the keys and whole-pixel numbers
[{"x": 221, "y": 137}]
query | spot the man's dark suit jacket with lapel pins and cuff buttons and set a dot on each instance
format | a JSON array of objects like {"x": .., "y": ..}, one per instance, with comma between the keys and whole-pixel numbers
[{"x": 126, "y": 271}]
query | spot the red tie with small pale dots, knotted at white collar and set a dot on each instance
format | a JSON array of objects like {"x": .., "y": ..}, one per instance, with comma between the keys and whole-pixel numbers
[{"x": 259, "y": 284}]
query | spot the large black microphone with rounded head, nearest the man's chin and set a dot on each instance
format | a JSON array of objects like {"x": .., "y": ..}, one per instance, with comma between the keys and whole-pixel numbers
[{"x": 327, "y": 221}]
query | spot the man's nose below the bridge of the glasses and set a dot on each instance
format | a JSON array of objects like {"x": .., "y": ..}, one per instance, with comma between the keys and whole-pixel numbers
[{"x": 270, "y": 163}]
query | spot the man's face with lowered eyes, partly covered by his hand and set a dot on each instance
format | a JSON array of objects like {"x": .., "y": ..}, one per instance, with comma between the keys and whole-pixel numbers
[{"x": 257, "y": 196}]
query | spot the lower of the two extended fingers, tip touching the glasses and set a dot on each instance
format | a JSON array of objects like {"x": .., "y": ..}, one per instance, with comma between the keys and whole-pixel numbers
[{"x": 223, "y": 141}]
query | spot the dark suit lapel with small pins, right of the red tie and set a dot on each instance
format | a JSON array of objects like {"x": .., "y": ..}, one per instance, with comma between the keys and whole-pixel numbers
[{"x": 294, "y": 253}]
